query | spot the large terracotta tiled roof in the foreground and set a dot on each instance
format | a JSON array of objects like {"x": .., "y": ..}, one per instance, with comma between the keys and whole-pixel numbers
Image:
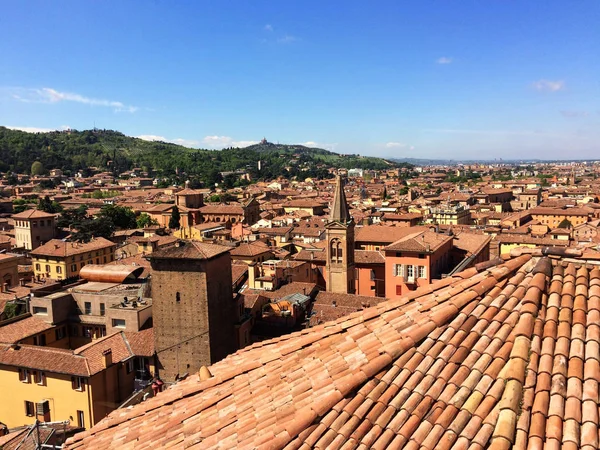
[{"x": 505, "y": 357}]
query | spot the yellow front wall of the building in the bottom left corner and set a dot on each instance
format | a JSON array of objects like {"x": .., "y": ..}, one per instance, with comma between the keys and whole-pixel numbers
[{"x": 64, "y": 401}]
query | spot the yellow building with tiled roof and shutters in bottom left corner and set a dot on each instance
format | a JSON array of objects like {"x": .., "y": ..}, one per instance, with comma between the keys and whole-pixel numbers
[{"x": 82, "y": 385}]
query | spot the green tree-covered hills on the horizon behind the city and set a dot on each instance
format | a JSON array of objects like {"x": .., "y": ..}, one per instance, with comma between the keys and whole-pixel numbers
[{"x": 112, "y": 151}]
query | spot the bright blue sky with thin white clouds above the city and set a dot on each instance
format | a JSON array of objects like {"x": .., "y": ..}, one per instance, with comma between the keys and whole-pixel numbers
[{"x": 436, "y": 79}]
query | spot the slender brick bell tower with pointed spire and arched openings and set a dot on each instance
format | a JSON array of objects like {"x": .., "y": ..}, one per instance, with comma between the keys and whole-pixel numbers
[{"x": 340, "y": 244}]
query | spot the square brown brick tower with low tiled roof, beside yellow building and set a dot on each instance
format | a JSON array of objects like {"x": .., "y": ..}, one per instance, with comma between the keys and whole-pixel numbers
[{"x": 193, "y": 309}]
